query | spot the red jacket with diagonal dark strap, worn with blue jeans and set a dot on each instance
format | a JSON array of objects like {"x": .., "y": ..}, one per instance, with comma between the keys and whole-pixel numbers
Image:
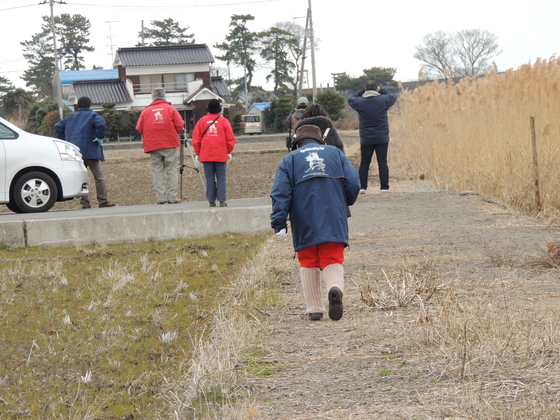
[{"x": 217, "y": 142}]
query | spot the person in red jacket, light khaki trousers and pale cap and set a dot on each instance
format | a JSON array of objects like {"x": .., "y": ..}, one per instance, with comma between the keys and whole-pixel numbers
[{"x": 160, "y": 125}]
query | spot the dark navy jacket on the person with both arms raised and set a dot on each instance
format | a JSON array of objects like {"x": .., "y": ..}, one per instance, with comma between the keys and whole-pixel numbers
[{"x": 372, "y": 112}]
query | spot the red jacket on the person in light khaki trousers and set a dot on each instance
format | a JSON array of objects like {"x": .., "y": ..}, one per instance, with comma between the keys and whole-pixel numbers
[{"x": 160, "y": 125}]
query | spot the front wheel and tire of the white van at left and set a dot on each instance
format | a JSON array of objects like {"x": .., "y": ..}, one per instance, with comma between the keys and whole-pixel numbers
[{"x": 34, "y": 192}]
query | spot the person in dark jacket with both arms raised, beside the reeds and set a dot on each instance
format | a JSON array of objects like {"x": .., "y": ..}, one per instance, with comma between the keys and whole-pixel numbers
[{"x": 372, "y": 104}]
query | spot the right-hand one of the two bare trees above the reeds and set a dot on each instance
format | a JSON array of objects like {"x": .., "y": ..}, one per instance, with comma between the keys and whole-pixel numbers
[{"x": 473, "y": 49}]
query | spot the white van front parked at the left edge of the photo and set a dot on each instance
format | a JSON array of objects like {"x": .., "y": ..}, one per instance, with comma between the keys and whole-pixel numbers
[{"x": 37, "y": 171}]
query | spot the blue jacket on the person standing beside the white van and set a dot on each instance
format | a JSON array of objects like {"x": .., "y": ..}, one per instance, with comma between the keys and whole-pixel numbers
[{"x": 81, "y": 128}]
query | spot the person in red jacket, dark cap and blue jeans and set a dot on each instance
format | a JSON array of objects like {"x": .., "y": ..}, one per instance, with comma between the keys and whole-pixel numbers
[{"x": 213, "y": 141}]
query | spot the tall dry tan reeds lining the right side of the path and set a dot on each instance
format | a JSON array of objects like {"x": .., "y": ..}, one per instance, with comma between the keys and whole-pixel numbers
[{"x": 476, "y": 135}]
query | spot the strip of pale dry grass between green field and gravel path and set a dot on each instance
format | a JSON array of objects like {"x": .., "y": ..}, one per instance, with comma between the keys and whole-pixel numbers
[{"x": 214, "y": 385}]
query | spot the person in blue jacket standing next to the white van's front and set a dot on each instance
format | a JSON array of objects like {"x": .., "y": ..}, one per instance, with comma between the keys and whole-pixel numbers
[{"x": 86, "y": 130}]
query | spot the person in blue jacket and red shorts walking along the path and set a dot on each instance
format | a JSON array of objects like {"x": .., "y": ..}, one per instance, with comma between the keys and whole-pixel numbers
[{"x": 313, "y": 186}]
